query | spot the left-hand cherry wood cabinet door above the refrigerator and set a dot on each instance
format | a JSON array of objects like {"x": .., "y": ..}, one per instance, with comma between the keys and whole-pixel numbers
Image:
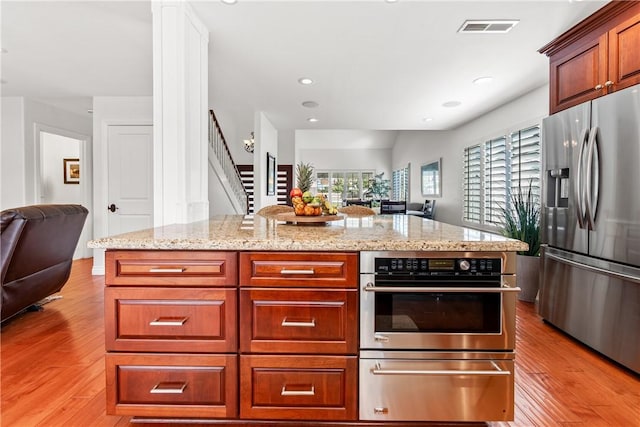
[{"x": 578, "y": 74}]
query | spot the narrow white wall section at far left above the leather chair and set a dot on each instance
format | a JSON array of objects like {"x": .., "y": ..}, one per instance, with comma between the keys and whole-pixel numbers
[{"x": 12, "y": 168}]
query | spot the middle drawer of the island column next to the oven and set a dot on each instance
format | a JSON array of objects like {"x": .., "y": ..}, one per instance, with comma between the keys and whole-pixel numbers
[{"x": 299, "y": 321}]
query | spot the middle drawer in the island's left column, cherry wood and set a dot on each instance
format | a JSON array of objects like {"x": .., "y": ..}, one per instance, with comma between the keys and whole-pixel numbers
[{"x": 176, "y": 320}]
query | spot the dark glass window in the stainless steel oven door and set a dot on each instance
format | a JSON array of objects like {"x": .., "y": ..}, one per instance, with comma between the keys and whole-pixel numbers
[{"x": 438, "y": 312}]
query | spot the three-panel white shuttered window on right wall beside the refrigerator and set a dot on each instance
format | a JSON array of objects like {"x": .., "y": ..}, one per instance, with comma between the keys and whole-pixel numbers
[{"x": 497, "y": 168}]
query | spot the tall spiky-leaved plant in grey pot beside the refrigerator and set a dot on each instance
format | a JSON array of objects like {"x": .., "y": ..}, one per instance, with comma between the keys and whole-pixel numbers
[{"x": 522, "y": 222}]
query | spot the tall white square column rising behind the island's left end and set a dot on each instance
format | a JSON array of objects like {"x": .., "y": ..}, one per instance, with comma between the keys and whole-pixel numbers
[{"x": 180, "y": 114}]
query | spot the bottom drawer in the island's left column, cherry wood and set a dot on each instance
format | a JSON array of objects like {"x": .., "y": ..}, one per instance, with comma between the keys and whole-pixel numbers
[{"x": 171, "y": 385}]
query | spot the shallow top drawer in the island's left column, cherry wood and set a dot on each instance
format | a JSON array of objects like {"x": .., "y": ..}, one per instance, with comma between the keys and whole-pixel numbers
[{"x": 171, "y": 268}]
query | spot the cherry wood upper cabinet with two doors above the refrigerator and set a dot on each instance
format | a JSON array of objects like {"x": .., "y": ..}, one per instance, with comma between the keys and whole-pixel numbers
[{"x": 596, "y": 57}]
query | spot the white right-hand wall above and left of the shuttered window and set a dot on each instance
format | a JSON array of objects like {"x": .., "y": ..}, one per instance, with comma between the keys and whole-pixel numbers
[{"x": 428, "y": 145}]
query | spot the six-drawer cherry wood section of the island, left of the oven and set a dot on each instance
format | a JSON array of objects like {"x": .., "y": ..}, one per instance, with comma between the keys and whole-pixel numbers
[{"x": 253, "y": 336}]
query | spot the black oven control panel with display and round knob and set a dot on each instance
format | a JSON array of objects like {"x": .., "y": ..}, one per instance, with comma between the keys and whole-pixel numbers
[{"x": 438, "y": 266}]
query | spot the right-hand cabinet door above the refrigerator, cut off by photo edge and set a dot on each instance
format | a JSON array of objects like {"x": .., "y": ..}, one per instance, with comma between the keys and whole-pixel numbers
[{"x": 624, "y": 54}]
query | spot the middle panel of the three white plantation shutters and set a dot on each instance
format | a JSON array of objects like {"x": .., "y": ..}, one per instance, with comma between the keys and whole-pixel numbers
[{"x": 496, "y": 175}]
